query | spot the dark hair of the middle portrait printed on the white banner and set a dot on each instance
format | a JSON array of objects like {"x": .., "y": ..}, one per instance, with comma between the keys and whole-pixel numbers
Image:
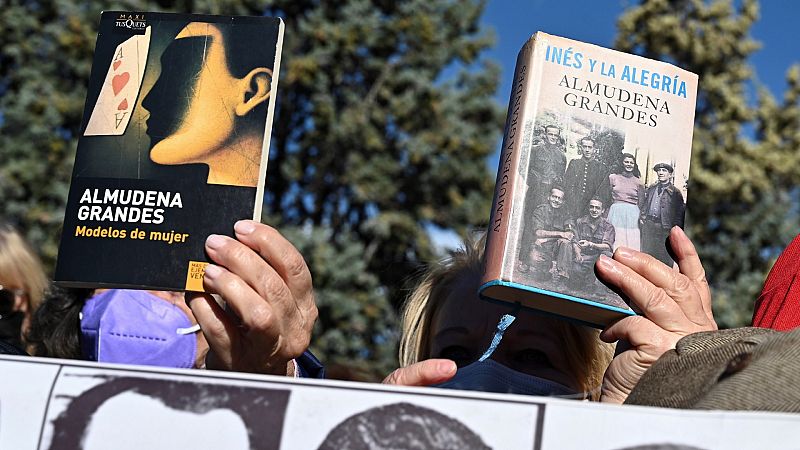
[{"x": 401, "y": 425}]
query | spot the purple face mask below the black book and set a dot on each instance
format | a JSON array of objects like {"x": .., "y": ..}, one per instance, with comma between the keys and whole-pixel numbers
[{"x": 136, "y": 327}]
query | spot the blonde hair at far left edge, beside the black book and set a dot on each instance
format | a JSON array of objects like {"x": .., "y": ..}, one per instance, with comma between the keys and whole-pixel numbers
[{"x": 20, "y": 265}]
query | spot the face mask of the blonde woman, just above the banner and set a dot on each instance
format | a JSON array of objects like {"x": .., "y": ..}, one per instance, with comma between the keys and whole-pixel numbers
[{"x": 491, "y": 376}]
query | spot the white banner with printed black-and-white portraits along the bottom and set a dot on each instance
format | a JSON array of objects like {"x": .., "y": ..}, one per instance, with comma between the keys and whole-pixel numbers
[{"x": 59, "y": 404}]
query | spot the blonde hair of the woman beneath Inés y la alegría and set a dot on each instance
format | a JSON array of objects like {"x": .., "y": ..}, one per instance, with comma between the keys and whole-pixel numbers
[{"x": 586, "y": 355}]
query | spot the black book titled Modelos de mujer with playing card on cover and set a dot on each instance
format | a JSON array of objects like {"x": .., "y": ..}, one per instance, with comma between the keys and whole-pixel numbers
[{"x": 173, "y": 146}]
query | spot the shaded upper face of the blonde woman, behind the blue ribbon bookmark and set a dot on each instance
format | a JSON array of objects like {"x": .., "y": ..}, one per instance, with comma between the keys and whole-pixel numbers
[{"x": 463, "y": 326}]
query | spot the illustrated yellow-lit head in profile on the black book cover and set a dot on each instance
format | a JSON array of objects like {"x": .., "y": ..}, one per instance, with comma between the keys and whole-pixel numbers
[{"x": 209, "y": 103}]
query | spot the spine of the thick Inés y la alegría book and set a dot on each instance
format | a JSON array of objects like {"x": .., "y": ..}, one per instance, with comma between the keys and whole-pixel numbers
[{"x": 504, "y": 195}]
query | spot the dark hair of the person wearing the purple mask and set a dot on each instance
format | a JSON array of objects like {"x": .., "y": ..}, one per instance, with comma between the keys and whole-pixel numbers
[{"x": 55, "y": 325}]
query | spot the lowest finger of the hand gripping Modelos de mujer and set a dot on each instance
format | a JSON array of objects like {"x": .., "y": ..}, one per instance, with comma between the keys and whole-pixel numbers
[{"x": 215, "y": 324}]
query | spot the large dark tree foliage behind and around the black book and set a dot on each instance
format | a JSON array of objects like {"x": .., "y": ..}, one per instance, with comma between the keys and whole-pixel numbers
[{"x": 383, "y": 126}]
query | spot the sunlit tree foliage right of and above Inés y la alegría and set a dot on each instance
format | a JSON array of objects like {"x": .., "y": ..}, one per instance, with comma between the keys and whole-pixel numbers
[{"x": 745, "y": 149}]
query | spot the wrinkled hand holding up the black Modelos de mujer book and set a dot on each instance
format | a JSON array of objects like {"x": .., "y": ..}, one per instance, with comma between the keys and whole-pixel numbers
[{"x": 267, "y": 287}]
